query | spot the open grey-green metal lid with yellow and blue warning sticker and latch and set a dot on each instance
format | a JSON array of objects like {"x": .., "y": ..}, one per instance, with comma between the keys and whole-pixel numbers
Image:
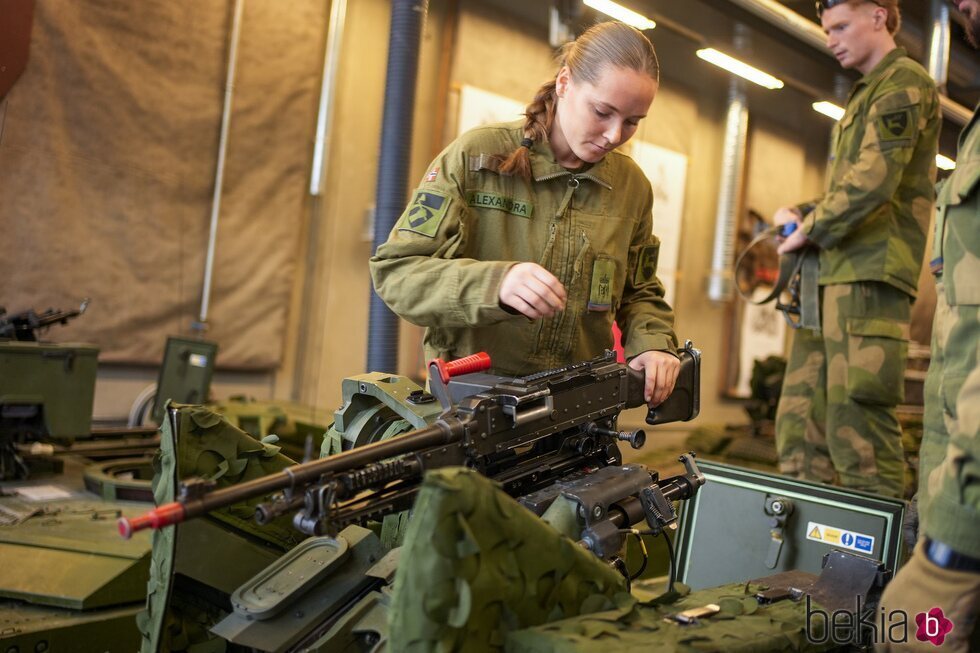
[{"x": 748, "y": 524}]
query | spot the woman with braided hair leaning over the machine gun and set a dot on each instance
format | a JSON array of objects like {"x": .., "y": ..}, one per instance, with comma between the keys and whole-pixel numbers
[{"x": 526, "y": 239}]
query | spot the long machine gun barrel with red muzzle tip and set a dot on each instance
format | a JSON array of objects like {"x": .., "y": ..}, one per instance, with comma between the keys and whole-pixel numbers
[{"x": 198, "y": 503}]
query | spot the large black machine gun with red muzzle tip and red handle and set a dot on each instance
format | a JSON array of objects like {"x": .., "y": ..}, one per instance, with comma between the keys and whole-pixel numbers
[{"x": 526, "y": 433}]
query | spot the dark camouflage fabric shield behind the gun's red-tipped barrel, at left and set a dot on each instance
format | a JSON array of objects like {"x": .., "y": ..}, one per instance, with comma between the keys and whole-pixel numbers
[{"x": 207, "y": 446}]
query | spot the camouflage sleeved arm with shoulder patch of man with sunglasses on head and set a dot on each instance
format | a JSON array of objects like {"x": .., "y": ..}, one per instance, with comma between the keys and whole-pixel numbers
[{"x": 874, "y": 177}]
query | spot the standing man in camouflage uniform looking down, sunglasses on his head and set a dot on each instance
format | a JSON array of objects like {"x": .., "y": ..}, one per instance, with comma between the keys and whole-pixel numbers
[{"x": 837, "y": 417}]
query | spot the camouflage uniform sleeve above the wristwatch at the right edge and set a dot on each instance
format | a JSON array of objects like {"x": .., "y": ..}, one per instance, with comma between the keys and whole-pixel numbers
[{"x": 949, "y": 461}]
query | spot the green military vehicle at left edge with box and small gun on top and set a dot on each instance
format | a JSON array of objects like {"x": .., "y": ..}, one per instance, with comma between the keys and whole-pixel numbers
[{"x": 66, "y": 583}]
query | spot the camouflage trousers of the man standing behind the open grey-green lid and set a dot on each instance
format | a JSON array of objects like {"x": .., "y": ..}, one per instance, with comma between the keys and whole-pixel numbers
[{"x": 836, "y": 420}]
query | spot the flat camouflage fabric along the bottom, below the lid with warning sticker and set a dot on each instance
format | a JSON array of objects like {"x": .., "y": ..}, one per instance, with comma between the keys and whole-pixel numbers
[{"x": 741, "y": 626}]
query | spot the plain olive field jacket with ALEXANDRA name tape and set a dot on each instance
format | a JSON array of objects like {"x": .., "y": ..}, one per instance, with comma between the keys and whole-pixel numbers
[{"x": 466, "y": 225}]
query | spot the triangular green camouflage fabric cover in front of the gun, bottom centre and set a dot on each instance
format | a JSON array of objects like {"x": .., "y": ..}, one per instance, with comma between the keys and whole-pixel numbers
[{"x": 476, "y": 565}]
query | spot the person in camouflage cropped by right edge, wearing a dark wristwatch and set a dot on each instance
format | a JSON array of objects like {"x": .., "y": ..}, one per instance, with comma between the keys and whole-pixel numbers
[{"x": 944, "y": 571}]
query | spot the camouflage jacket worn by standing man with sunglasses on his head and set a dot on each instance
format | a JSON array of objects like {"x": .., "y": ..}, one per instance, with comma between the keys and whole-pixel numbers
[{"x": 871, "y": 222}]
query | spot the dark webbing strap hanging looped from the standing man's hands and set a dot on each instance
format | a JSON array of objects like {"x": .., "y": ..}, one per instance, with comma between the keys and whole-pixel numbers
[{"x": 798, "y": 275}]
